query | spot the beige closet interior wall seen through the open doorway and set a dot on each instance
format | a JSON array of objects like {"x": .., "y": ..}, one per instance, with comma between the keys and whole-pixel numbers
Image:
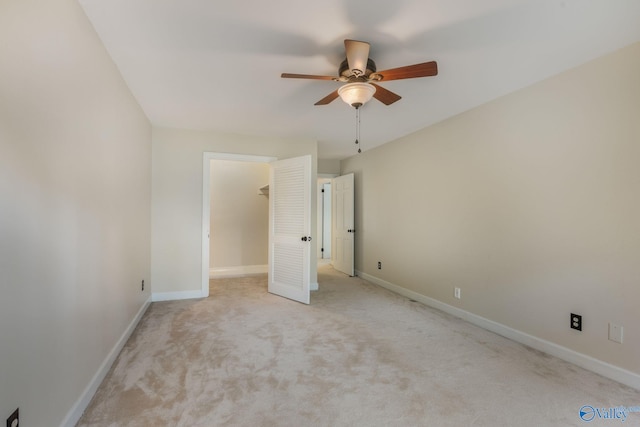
[{"x": 239, "y": 214}]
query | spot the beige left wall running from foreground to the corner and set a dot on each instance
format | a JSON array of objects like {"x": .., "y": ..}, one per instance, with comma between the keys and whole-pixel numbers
[{"x": 75, "y": 168}]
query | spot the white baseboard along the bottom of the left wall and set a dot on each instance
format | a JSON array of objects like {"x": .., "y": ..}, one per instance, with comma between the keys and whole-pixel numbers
[{"x": 73, "y": 416}]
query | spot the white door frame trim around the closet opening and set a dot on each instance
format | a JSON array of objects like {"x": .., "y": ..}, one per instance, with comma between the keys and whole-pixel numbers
[{"x": 206, "y": 203}]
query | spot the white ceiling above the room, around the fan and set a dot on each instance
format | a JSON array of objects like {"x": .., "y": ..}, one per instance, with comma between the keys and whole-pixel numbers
[{"x": 216, "y": 65}]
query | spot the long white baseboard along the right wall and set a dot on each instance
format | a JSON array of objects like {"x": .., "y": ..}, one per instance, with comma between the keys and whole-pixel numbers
[{"x": 587, "y": 362}]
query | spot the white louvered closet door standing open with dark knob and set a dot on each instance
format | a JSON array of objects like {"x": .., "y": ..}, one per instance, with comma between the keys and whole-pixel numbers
[{"x": 290, "y": 228}]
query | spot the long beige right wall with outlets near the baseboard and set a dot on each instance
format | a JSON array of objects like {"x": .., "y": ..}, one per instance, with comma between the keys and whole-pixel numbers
[{"x": 530, "y": 204}]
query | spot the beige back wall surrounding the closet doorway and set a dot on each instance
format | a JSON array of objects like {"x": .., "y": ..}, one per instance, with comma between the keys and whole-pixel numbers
[{"x": 176, "y": 242}]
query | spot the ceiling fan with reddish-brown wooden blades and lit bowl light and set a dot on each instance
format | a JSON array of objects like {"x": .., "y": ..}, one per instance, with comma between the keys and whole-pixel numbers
[{"x": 359, "y": 73}]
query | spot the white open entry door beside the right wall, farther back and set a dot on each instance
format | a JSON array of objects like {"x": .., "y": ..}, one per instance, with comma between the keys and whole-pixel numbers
[{"x": 342, "y": 231}]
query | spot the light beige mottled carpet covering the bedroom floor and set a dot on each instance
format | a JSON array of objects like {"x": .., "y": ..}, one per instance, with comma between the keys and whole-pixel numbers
[{"x": 359, "y": 355}]
